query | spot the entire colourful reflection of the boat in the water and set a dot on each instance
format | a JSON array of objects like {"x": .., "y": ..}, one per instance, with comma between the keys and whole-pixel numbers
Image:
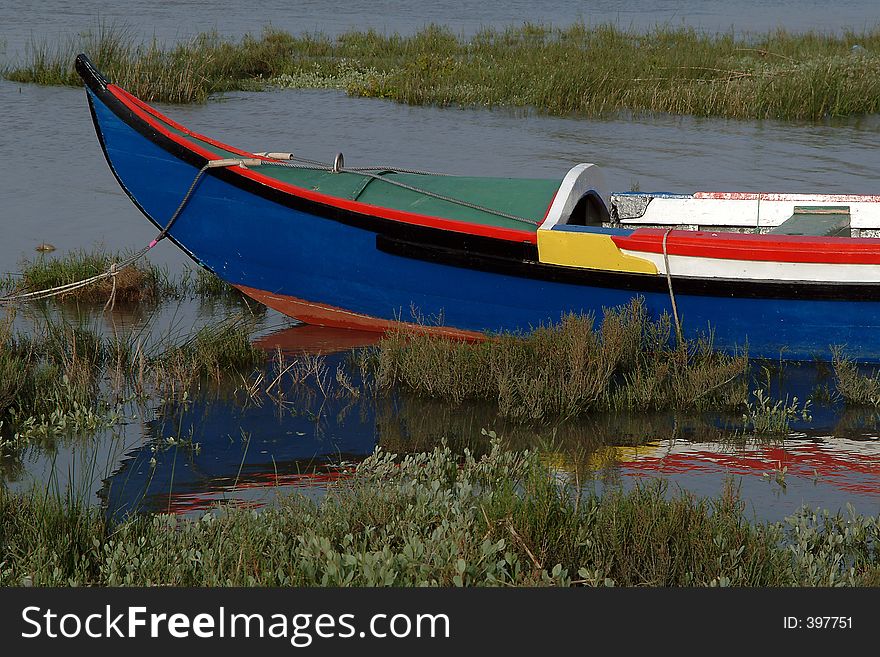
[{"x": 245, "y": 450}]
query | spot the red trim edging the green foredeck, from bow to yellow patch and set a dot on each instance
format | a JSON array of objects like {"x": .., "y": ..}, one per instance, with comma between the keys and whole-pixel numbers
[{"x": 155, "y": 119}]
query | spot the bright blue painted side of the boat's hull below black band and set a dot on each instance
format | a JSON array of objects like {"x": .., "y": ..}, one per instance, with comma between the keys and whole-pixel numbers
[{"x": 260, "y": 243}]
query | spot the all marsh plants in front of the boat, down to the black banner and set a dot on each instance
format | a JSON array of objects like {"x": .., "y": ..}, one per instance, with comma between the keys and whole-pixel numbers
[{"x": 487, "y": 515}]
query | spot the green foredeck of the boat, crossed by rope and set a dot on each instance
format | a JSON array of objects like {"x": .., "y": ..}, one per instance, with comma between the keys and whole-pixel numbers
[{"x": 523, "y": 197}]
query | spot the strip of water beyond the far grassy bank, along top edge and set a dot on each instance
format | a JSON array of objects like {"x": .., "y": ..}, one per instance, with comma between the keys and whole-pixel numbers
[{"x": 183, "y": 19}]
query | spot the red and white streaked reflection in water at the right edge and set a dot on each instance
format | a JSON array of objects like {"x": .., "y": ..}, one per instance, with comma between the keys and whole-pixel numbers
[{"x": 852, "y": 466}]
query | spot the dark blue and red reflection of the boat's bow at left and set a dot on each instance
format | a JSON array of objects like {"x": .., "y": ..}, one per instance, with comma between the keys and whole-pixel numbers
[{"x": 245, "y": 449}]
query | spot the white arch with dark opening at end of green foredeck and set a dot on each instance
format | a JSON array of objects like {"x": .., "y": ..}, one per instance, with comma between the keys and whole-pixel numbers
[{"x": 578, "y": 200}]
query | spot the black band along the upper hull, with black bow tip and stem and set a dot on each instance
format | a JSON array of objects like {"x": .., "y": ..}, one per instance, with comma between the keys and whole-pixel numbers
[{"x": 443, "y": 246}]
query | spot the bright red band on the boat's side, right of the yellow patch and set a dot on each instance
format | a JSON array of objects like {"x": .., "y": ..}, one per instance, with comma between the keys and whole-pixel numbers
[{"x": 768, "y": 248}]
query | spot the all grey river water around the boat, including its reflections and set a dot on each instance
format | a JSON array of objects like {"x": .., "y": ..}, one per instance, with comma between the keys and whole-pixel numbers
[{"x": 56, "y": 187}]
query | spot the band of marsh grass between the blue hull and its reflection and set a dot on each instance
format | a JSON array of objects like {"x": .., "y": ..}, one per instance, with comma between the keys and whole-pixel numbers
[{"x": 64, "y": 377}]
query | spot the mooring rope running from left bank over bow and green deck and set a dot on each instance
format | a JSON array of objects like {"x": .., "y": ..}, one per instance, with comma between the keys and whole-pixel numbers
[{"x": 301, "y": 163}]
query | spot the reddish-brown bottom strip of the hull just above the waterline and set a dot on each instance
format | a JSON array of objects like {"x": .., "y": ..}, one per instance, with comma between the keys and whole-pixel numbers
[{"x": 323, "y": 315}]
